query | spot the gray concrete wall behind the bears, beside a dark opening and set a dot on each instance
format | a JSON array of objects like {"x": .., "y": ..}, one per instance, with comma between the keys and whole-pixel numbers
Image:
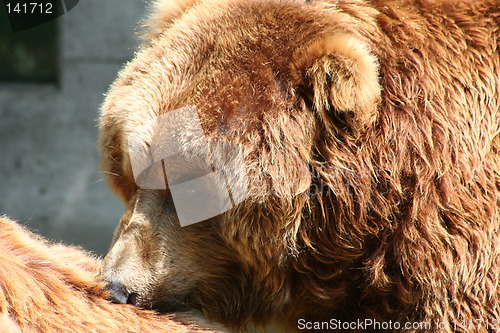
[{"x": 49, "y": 168}]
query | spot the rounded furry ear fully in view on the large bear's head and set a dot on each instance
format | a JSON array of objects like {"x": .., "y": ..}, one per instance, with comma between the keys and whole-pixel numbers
[{"x": 338, "y": 73}]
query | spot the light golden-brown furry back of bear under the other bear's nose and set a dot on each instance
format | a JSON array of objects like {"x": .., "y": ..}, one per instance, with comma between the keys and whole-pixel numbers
[{"x": 46, "y": 288}]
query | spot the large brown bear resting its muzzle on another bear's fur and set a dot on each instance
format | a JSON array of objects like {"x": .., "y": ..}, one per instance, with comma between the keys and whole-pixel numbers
[{"x": 369, "y": 132}]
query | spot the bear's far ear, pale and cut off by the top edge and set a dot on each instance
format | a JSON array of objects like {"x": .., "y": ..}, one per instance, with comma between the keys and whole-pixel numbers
[{"x": 162, "y": 13}]
